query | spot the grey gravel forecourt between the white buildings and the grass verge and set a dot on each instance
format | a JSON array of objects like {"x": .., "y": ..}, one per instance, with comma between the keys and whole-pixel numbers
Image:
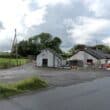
[{"x": 54, "y": 77}]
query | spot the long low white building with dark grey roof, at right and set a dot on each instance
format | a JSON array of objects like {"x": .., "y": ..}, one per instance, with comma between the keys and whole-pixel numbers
[{"x": 89, "y": 56}]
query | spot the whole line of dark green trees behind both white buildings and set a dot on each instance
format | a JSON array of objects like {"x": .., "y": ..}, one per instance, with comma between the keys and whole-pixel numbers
[{"x": 36, "y": 43}]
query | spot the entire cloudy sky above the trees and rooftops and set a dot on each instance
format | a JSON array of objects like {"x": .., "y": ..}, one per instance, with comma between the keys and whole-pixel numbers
[{"x": 74, "y": 21}]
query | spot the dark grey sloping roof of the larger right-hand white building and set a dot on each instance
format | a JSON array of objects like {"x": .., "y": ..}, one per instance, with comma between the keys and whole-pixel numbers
[{"x": 97, "y": 53}]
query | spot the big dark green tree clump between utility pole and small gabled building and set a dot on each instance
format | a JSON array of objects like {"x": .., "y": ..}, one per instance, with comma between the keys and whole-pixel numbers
[{"x": 35, "y": 44}]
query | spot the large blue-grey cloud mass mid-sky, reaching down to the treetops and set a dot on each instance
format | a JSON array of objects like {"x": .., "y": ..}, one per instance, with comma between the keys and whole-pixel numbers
[{"x": 55, "y": 21}]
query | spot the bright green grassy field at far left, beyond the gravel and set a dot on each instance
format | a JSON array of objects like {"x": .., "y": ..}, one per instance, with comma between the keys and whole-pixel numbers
[{"x": 11, "y": 62}]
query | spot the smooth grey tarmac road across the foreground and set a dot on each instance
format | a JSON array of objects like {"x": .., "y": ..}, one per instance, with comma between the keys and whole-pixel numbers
[{"x": 94, "y": 95}]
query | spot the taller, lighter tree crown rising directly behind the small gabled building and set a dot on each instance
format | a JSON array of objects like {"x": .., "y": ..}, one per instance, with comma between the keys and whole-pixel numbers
[{"x": 46, "y": 40}]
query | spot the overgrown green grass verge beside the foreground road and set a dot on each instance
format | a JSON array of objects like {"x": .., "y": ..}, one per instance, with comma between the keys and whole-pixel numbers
[{"x": 32, "y": 83}]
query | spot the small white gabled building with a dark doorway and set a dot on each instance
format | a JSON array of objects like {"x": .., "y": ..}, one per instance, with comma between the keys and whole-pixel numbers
[{"x": 49, "y": 58}]
